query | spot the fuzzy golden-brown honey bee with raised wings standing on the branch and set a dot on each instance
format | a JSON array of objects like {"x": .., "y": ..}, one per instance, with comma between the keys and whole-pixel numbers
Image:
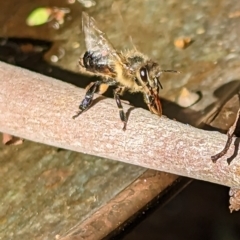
[{"x": 130, "y": 71}]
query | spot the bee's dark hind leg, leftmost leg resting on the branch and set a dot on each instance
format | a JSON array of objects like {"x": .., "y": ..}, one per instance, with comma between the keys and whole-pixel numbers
[{"x": 86, "y": 102}]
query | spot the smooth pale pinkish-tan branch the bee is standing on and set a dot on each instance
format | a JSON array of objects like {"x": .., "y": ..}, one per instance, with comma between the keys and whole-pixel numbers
[{"x": 40, "y": 108}]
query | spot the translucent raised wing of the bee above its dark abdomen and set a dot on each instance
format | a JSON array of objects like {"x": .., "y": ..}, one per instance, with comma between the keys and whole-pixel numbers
[{"x": 95, "y": 39}]
